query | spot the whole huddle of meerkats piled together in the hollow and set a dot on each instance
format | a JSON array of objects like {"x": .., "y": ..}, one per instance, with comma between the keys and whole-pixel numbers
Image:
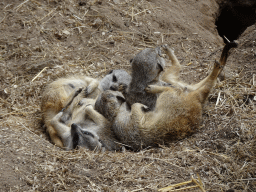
[{"x": 147, "y": 108}]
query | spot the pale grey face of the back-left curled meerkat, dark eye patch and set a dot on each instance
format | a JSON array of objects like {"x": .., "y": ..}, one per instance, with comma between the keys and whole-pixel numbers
[{"x": 115, "y": 78}]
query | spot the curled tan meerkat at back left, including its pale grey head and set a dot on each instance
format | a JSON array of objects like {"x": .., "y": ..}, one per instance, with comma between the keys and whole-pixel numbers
[{"x": 60, "y": 92}]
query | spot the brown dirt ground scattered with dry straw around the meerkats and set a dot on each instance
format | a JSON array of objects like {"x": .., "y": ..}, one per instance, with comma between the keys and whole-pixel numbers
[{"x": 92, "y": 37}]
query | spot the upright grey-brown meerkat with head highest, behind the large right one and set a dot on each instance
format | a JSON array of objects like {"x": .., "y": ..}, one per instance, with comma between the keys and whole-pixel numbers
[{"x": 147, "y": 66}]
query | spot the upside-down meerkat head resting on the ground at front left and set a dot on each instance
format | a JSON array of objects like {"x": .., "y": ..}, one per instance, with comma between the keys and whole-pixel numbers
[{"x": 84, "y": 138}]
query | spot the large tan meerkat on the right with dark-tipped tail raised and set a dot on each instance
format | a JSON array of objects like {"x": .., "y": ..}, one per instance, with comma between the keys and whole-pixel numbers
[{"x": 177, "y": 113}]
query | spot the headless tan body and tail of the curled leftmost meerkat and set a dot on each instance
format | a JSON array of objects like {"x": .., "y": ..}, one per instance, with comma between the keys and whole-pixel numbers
[{"x": 57, "y": 95}]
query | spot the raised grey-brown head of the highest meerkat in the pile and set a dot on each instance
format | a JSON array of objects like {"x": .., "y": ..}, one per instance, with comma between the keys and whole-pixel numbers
[{"x": 147, "y": 66}]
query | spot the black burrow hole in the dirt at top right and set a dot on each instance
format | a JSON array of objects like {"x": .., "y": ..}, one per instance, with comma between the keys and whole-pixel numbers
[{"x": 233, "y": 19}]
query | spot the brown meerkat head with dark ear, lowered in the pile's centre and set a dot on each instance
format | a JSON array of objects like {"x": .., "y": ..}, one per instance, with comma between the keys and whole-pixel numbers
[{"x": 108, "y": 103}]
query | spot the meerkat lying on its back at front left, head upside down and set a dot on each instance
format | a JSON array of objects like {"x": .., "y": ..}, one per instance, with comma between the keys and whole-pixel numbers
[{"x": 88, "y": 128}]
